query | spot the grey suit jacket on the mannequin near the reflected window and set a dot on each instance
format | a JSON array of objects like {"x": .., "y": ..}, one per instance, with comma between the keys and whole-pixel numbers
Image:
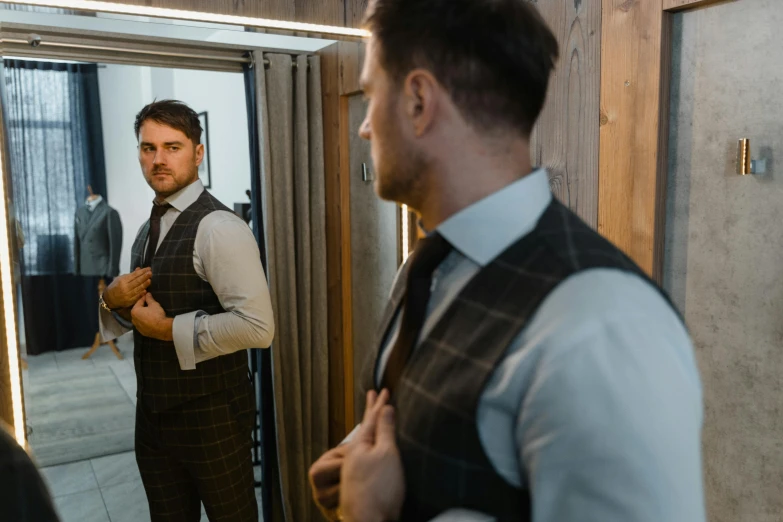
[{"x": 97, "y": 241}]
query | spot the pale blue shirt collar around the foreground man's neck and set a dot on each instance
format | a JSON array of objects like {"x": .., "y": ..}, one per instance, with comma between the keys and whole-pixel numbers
[{"x": 487, "y": 228}]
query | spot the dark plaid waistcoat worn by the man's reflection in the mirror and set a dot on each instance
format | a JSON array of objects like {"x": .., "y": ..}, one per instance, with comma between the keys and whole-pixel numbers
[{"x": 178, "y": 288}]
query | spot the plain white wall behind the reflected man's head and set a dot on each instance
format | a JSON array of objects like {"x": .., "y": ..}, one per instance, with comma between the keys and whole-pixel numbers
[{"x": 125, "y": 89}]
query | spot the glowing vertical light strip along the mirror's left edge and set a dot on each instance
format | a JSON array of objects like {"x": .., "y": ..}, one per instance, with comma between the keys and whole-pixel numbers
[{"x": 9, "y": 310}]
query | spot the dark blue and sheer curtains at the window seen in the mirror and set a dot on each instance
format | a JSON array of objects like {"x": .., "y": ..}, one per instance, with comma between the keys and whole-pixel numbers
[{"x": 56, "y": 143}]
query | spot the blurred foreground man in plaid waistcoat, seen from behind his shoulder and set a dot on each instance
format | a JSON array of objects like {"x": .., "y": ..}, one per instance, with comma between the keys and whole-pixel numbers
[{"x": 535, "y": 372}]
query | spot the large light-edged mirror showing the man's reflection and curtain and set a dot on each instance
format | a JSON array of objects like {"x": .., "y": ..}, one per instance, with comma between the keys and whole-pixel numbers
[{"x": 84, "y": 167}]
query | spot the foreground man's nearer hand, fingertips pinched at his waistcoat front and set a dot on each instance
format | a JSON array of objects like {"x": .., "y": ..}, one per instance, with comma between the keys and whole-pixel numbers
[{"x": 372, "y": 486}]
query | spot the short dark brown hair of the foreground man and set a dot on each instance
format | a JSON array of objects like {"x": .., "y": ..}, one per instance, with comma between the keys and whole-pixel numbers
[{"x": 494, "y": 57}]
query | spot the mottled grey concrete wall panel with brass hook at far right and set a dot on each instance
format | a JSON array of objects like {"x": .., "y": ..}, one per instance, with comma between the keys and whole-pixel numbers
[{"x": 724, "y": 245}]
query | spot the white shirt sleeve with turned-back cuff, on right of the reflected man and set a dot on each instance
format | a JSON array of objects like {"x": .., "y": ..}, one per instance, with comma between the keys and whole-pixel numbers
[{"x": 227, "y": 256}]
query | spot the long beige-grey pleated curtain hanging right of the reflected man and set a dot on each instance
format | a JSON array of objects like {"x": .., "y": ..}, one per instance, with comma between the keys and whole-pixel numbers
[{"x": 292, "y": 163}]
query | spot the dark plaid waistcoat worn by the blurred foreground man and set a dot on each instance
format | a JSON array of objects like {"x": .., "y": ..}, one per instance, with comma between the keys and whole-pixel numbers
[{"x": 437, "y": 399}]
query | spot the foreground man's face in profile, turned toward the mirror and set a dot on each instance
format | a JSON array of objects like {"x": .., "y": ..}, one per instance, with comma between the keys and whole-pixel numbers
[{"x": 395, "y": 154}]
